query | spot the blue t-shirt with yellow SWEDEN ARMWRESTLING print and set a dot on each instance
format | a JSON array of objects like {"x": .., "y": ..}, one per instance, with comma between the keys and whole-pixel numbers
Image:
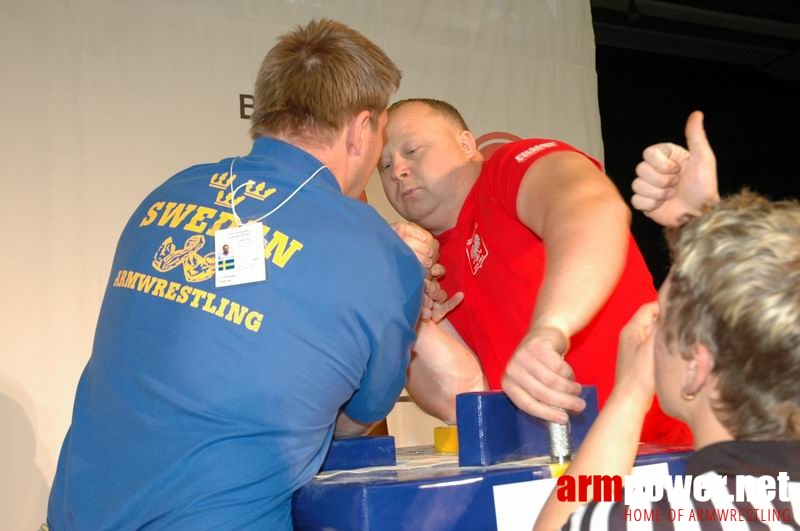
[{"x": 205, "y": 408}]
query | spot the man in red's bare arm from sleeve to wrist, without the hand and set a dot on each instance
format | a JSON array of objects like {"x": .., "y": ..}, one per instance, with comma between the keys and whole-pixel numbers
[{"x": 584, "y": 224}]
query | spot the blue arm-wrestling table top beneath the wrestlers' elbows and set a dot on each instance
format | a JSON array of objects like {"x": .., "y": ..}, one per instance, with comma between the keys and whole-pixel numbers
[{"x": 428, "y": 491}]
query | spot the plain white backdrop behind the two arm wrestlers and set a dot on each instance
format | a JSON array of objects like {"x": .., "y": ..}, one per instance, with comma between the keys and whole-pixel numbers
[{"x": 101, "y": 100}]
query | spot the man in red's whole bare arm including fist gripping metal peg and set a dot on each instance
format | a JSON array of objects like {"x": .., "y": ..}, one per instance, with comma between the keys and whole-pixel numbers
[{"x": 584, "y": 224}]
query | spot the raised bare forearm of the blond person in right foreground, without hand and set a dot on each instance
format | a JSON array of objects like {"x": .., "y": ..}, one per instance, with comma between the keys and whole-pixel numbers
[{"x": 611, "y": 444}]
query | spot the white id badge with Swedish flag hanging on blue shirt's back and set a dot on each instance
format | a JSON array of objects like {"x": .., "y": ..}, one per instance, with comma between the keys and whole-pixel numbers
[{"x": 239, "y": 255}]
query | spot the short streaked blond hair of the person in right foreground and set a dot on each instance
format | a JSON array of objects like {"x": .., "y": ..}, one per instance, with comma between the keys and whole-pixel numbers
[{"x": 735, "y": 288}]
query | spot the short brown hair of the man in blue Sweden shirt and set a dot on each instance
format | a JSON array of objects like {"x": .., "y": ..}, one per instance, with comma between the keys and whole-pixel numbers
[{"x": 316, "y": 78}]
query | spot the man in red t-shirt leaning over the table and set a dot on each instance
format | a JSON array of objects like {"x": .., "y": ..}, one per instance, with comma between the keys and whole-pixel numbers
[{"x": 537, "y": 238}]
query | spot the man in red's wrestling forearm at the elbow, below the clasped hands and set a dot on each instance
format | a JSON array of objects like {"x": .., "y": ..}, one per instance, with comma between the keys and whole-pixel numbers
[{"x": 441, "y": 367}]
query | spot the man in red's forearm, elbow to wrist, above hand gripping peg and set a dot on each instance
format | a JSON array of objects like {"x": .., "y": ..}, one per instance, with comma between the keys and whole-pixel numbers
[{"x": 586, "y": 254}]
